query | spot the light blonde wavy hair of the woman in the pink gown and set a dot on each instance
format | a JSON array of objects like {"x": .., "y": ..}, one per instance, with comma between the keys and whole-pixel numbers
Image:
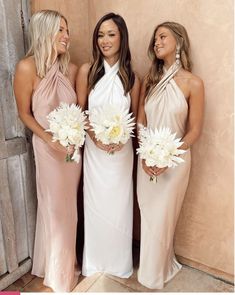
[{"x": 43, "y": 27}]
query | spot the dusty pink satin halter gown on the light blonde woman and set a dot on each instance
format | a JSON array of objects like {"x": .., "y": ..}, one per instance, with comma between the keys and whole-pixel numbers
[{"x": 57, "y": 183}]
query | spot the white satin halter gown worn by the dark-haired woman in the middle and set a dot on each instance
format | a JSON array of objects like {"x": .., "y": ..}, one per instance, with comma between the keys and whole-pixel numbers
[{"x": 108, "y": 195}]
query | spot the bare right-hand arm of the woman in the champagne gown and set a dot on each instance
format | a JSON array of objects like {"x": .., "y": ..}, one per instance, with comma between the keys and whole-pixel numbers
[{"x": 196, "y": 111}]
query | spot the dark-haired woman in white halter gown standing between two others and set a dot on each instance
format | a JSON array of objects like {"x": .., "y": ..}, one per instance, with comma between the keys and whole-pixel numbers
[{"x": 108, "y": 191}]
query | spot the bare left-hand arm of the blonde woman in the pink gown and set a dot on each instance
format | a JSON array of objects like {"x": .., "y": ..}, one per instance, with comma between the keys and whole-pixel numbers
[{"x": 25, "y": 76}]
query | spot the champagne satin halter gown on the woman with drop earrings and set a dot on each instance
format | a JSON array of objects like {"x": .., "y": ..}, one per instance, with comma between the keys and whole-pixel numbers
[{"x": 160, "y": 203}]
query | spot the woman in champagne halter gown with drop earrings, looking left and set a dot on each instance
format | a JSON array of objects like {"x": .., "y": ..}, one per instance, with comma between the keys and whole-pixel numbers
[{"x": 171, "y": 96}]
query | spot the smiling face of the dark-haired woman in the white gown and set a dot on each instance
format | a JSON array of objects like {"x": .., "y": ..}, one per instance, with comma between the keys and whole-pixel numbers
[{"x": 109, "y": 39}]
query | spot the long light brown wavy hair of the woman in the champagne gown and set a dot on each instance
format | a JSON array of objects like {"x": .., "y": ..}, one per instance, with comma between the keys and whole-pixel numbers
[{"x": 156, "y": 70}]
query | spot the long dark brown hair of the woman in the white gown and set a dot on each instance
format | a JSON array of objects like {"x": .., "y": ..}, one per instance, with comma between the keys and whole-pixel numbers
[{"x": 125, "y": 73}]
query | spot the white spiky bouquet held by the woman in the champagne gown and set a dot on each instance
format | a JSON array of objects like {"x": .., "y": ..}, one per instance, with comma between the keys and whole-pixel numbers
[{"x": 159, "y": 148}]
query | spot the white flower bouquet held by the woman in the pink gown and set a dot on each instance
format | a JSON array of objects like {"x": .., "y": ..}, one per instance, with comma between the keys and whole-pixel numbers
[{"x": 67, "y": 125}]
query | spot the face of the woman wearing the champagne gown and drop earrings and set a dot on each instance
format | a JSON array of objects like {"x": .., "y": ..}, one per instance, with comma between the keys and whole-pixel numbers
[{"x": 165, "y": 44}]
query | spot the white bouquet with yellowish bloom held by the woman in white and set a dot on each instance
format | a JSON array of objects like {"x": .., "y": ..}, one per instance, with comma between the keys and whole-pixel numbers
[{"x": 111, "y": 124}]
